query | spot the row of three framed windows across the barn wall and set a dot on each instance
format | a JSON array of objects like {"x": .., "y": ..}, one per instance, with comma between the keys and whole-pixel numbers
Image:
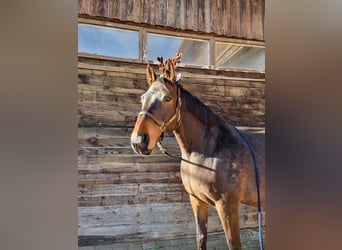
[{"x": 142, "y": 44}]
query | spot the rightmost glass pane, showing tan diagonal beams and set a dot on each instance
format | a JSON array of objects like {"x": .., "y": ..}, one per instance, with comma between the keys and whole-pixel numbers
[{"x": 230, "y": 55}]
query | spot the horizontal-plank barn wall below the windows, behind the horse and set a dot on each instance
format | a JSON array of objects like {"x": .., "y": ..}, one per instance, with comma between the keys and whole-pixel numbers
[{"x": 129, "y": 197}]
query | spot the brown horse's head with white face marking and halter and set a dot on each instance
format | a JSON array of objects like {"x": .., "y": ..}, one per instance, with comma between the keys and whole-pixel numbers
[{"x": 160, "y": 109}]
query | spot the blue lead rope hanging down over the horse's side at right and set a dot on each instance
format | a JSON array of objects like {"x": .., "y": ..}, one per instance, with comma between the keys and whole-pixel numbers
[{"x": 257, "y": 184}]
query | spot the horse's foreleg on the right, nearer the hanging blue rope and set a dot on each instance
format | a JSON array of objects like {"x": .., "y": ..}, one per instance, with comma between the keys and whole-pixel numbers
[{"x": 229, "y": 216}]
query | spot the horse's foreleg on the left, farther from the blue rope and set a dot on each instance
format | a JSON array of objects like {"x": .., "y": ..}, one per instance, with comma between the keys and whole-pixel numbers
[{"x": 201, "y": 217}]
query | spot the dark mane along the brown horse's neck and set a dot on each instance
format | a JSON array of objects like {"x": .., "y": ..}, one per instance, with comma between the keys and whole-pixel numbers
[{"x": 200, "y": 110}]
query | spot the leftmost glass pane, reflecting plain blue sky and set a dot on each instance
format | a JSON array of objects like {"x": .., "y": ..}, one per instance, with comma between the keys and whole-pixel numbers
[{"x": 108, "y": 41}]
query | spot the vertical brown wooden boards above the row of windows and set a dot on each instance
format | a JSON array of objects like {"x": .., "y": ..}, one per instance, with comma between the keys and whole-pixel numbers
[{"x": 242, "y": 19}]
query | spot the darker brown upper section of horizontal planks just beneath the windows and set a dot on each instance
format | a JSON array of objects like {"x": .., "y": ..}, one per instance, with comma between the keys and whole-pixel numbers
[{"x": 110, "y": 92}]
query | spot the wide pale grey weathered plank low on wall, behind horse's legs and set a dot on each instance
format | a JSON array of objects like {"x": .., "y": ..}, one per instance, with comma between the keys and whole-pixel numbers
[{"x": 150, "y": 221}]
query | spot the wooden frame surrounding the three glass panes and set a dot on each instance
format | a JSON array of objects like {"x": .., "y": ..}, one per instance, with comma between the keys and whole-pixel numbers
[{"x": 143, "y": 31}]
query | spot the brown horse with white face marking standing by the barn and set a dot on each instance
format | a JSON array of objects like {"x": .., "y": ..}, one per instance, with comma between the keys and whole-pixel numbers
[{"x": 217, "y": 168}]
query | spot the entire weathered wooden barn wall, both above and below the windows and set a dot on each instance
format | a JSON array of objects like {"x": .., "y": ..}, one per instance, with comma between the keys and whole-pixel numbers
[{"x": 124, "y": 197}]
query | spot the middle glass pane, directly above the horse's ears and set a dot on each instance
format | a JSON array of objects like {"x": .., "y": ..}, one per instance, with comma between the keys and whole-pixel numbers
[{"x": 195, "y": 51}]
